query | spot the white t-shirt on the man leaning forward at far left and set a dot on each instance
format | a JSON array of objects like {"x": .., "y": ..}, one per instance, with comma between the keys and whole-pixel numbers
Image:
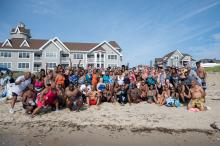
[{"x": 18, "y": 89}]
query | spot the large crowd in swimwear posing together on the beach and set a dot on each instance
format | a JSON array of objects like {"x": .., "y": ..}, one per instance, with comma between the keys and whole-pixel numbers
[{"x": 77, "y": 87}]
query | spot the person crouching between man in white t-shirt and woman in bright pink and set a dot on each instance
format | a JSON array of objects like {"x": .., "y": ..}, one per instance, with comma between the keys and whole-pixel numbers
[{"x": 28, "y": 99}]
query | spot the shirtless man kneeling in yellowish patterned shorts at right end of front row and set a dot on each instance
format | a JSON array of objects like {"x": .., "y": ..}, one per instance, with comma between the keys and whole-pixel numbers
[{"x": 196, "y": 93}]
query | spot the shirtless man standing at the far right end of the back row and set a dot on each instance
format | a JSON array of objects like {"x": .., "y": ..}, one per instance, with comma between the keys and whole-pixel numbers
[{"x": 201, "y": 74}]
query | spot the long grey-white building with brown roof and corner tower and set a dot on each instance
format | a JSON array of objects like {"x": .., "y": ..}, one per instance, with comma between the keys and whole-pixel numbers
[{"x": 22, "y": 53}]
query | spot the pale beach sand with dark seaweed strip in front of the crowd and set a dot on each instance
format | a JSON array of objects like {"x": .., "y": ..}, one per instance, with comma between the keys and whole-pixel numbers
[{"x": 112, "y": 124}]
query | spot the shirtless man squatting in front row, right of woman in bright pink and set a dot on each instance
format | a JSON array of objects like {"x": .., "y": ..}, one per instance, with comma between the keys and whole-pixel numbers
[{"x": 73, "y": 98}]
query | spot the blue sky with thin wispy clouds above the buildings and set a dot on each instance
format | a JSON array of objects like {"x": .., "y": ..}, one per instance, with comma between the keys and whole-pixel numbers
[{"x": 144, "y": 29}]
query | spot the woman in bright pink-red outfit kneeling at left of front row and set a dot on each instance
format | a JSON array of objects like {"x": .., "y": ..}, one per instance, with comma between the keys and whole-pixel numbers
[{"x": 48, "y": 97}]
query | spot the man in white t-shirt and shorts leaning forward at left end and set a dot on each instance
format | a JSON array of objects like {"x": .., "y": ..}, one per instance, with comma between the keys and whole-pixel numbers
[{"x": 21, "y": 84}]
